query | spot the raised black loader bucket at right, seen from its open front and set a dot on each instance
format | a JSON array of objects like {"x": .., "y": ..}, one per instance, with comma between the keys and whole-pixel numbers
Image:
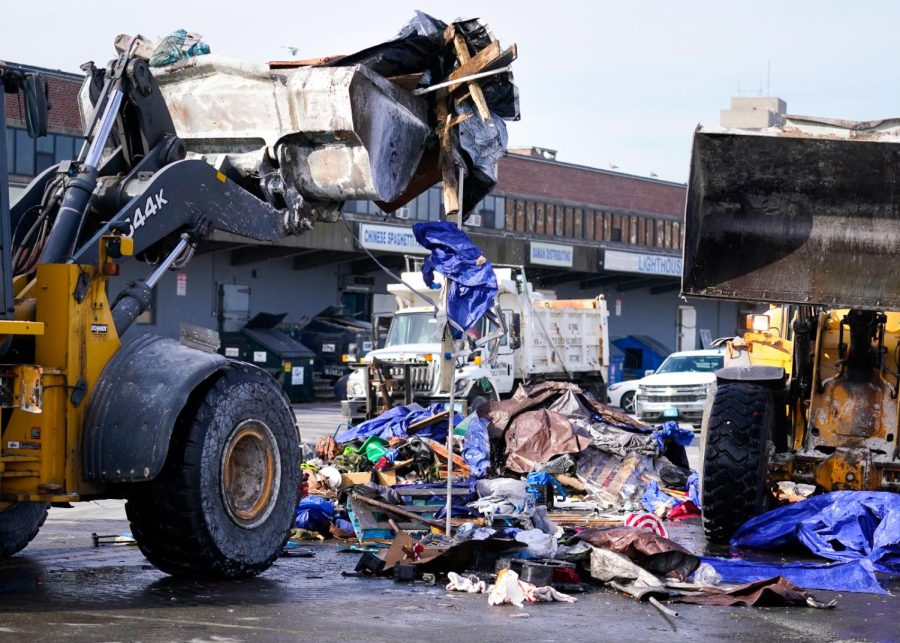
[{"x": 808, "y": 213}]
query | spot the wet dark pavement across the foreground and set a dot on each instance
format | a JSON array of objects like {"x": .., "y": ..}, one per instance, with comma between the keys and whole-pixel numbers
[{"x": 63, "y": 588}]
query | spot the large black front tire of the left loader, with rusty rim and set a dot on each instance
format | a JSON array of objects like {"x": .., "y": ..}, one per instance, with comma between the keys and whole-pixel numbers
[{"x": 225, "y": 501}]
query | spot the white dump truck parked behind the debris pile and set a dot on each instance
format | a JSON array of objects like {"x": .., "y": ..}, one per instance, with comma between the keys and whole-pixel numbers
[{"x": 546, "y": 339}]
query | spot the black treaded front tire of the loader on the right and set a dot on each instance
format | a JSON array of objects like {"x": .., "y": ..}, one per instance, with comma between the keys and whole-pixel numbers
[{"x": 735, "y": 457}]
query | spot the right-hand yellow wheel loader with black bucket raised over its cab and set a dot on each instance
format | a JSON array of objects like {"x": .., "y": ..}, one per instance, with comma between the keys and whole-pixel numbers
[{"x": 802, "y": 217}]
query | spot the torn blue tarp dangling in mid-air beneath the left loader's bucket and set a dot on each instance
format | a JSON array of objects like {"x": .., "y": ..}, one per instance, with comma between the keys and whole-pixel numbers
[{"x": 472, "y": 284}]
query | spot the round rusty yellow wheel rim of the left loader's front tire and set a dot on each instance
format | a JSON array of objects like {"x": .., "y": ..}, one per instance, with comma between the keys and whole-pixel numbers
[{"x": 251, "y": 473}]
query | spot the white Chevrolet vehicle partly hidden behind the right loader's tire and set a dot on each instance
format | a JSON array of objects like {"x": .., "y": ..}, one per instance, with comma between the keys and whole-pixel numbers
[{"x": 678, "y": 388}]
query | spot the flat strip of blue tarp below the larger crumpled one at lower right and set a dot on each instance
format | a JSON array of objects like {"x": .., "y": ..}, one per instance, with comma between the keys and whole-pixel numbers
[{"x": 849, "y": 576}]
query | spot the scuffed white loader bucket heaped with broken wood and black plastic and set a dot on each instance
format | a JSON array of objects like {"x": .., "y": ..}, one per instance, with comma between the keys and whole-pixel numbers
[{"x": 426, "y": 107}]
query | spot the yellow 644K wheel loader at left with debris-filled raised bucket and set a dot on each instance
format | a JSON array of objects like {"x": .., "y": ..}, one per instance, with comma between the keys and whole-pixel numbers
[{"x": 203, "y": 448}]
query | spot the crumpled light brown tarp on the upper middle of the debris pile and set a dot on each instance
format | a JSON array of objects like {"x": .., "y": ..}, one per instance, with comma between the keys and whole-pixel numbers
[{"x": 538, "y": 436}]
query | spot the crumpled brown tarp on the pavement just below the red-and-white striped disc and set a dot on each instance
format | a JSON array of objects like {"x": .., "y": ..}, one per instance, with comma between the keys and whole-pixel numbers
[{"x": 654, "y": 553}]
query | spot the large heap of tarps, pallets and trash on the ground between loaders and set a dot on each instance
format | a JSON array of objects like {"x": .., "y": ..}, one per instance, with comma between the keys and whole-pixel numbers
[{"x": 553, "y": 493}]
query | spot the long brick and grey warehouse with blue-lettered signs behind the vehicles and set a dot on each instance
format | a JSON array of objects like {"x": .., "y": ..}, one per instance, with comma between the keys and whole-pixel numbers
[{"x": 579, "y": 231}]
